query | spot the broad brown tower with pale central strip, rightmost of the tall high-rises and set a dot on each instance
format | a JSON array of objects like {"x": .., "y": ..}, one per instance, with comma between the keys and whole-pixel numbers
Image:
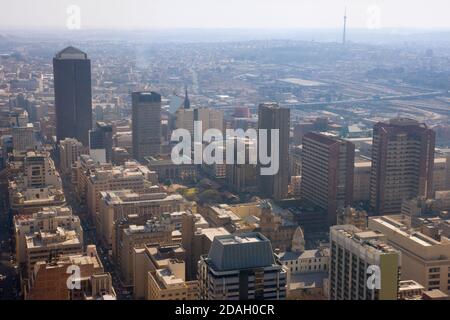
[{"x": 402, "y": 164}]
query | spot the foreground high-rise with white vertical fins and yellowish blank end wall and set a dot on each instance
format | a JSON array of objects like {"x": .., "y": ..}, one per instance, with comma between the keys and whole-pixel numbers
[{"x": 362, "y": 265}]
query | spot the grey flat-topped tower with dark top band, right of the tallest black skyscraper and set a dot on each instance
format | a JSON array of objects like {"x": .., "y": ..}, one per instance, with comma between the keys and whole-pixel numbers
[{"x": 146, "y": 124}]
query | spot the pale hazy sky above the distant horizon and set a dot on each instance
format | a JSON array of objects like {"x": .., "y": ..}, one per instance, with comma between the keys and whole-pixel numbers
[{"x": 137, "y": 14}]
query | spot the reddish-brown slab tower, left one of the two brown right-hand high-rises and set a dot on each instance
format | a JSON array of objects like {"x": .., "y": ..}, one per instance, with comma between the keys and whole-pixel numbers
[{"x": 327, "y": 172}]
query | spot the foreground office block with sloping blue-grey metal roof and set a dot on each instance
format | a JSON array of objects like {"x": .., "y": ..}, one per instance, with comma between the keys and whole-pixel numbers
[{"x": 241, "y": 267}]
